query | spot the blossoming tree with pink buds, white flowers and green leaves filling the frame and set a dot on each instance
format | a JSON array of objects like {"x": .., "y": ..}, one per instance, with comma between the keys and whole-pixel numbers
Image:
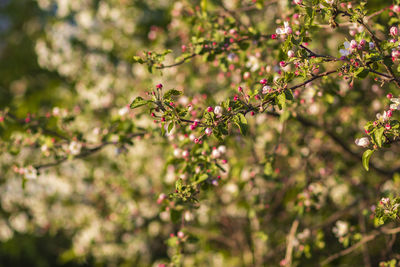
[{"x": 245, "y": 149}]
